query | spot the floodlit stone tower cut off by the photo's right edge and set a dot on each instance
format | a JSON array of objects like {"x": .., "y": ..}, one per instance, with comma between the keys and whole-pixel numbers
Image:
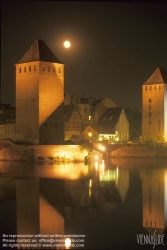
[{"x": 154, "y": 107}]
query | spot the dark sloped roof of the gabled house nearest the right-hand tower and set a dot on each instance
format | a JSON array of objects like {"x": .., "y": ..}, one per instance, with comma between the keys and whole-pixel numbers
[{"x": 110, "y": 116}]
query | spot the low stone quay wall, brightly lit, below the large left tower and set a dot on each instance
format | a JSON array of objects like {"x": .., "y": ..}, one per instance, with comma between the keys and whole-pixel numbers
[{"x": 68, "y": 153}]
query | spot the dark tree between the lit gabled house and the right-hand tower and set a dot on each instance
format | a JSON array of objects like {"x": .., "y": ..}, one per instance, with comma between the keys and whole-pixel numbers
[{"x": 134, "y": 117}]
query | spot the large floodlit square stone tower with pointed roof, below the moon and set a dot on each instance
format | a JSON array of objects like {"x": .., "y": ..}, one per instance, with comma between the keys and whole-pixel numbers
[{"x": 40, "y": 96}]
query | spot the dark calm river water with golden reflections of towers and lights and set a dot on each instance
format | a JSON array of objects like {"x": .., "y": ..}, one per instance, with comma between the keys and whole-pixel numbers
[{"x": 110, "y": 204}]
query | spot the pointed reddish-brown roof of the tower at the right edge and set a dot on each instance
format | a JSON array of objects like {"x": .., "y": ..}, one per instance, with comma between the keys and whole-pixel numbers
[{"x": 159, "y": 76}]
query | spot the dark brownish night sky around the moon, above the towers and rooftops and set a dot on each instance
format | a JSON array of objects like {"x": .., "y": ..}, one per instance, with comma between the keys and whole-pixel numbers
[{"x": 115, "y": 47}]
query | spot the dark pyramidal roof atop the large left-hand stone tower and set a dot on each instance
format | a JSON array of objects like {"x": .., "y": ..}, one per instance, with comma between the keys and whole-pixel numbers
[{"x": 39, "y": 51}]
